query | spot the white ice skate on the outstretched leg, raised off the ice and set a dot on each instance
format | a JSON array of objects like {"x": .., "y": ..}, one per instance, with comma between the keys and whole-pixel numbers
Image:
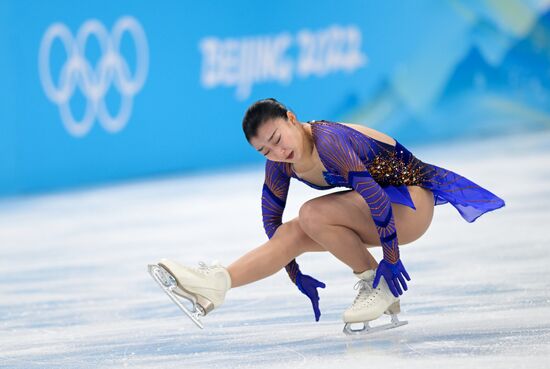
[{"x": 204, "y": 287}]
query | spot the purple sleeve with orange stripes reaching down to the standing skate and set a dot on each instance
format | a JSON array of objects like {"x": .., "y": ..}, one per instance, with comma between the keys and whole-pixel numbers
[{"x": 338, "y": 155}]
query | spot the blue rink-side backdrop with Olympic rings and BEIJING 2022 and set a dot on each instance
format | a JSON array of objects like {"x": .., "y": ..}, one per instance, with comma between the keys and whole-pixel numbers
[{"x": 108, "y": 90}]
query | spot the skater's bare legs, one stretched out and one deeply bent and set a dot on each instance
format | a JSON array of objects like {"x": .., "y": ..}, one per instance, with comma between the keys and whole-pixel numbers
[{"x": 339, "y": 223}]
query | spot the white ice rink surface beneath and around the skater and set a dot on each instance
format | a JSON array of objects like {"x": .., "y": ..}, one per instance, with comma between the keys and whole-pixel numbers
[{"x": 75, "y": 293}]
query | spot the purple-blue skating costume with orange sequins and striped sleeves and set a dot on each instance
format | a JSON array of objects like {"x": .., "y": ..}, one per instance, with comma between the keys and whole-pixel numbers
[{"x": 380, "y": 173}]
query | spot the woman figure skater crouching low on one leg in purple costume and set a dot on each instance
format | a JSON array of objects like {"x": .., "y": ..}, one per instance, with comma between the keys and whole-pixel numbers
[{"x": 390, "y": 203}]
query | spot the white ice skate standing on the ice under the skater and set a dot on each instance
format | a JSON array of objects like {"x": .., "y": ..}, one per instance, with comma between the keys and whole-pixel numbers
[{"x": 370, "y": 304}]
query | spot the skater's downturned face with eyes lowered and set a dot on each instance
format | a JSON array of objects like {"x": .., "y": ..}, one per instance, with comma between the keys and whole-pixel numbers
[{"x": 279, "y": 139}]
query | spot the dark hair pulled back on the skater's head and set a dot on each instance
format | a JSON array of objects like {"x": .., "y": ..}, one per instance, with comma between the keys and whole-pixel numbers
[{"x": 260, "y": 112}]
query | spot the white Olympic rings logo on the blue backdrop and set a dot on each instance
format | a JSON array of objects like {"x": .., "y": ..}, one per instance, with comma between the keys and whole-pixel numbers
[{"x": 94, "y": 83}]
